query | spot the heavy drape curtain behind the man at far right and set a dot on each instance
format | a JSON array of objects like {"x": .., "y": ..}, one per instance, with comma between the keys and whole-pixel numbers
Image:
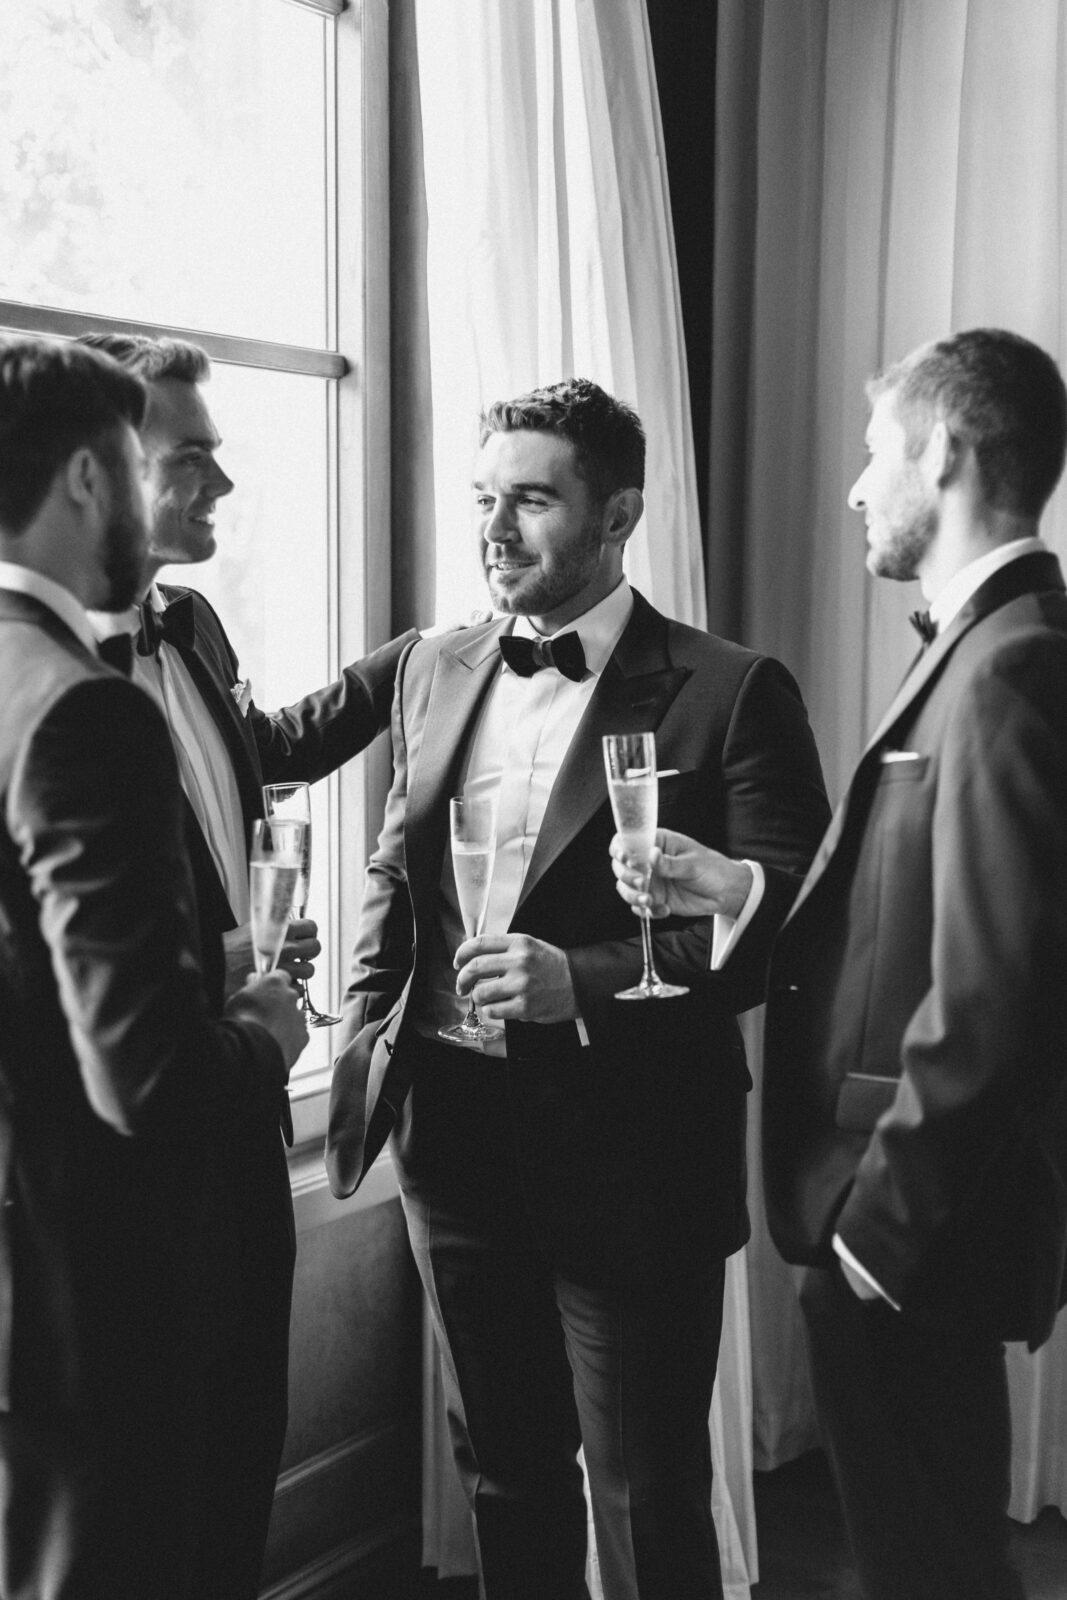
[{"x": 889, "y": 172}]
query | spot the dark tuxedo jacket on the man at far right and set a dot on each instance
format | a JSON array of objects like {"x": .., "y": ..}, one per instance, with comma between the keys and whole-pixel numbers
[{"x": 916, "y": 1095}]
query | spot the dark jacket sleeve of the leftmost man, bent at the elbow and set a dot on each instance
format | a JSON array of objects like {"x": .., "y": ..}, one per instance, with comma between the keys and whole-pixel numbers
[{"x": 95, "y": 810}]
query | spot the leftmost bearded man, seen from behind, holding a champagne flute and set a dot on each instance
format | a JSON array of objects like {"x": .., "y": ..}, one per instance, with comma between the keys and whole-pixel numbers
[{"x": 121, "y": 1086}]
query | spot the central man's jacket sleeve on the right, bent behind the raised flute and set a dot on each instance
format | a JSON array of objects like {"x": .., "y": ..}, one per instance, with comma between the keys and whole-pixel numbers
[{"x": 773, "y": 812}]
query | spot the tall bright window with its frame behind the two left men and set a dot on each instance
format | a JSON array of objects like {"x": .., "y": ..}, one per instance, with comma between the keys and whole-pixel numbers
[{"x": 198, "y": 169}]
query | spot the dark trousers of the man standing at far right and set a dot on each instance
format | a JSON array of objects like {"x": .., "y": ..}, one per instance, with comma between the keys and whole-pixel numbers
[{"x": 916, "y": 1422}]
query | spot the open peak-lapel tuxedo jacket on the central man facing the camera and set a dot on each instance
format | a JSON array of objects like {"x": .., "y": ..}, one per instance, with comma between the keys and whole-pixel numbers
[{"x": 631, "y": 1151}]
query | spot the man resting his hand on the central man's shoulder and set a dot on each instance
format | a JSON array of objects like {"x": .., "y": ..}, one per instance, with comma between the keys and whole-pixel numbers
[{"x": 228, "y": 750}]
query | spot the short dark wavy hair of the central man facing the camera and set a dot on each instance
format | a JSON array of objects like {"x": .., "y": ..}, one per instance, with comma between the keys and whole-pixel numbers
[{"x": 605, "y": 433}]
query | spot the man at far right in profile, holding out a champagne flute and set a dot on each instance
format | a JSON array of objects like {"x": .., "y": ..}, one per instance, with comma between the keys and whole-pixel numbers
[{"x": 916, "y": 1095}]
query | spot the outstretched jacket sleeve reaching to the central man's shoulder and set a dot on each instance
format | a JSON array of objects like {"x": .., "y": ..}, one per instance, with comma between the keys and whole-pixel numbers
[{"x": 322, "y": 732}]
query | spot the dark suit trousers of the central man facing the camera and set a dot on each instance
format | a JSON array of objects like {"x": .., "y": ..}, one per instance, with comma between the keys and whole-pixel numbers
[{"x": 538, "y": 1366}]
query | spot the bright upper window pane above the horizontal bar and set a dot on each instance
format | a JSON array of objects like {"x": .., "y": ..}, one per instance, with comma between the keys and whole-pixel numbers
[{"x": 166, "y": 162}]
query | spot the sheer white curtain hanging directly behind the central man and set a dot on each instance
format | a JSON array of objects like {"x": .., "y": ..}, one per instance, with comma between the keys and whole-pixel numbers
[{"x": 549, "y": 254}]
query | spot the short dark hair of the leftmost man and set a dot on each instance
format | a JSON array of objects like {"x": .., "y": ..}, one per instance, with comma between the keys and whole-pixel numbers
[{"x": 55, "y": 398}]
